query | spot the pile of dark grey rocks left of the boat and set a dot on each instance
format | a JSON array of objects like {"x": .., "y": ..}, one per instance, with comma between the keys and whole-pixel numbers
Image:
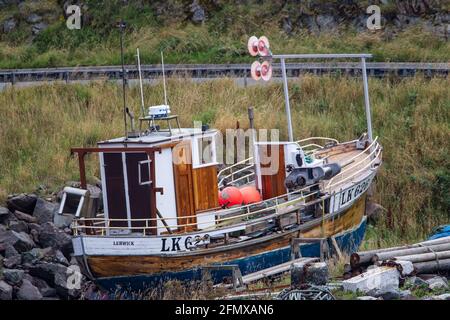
[{"x": 36, "y": 259}]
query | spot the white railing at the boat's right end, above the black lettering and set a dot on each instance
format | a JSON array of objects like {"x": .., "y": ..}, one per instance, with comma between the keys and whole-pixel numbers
[{"x": 372, "y": 152}]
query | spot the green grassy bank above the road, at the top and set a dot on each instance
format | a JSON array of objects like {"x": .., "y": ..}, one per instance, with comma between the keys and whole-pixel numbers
[{"x": 221, "y": 38}]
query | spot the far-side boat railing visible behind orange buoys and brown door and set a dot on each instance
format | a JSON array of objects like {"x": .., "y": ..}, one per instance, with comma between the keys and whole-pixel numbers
[{"x": 231, "y": 174}]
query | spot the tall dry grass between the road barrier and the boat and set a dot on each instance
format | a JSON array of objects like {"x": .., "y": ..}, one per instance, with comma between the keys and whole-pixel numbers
[{"x": 411, "y": 116}]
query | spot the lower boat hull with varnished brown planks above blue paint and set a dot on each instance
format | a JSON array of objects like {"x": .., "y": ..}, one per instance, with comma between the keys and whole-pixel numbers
[{"x": 138, "y": 271}]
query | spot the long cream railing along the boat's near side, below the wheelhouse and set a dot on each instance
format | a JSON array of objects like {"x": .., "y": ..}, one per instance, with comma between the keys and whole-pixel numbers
[{"x": 247, "y": 217}]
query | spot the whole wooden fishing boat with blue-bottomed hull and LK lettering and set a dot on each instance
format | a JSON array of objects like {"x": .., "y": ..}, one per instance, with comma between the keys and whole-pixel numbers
[{"x": 170, "y": 213}]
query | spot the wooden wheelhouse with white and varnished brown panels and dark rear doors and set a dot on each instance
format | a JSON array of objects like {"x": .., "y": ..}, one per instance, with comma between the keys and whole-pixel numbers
[{"x": 158, "y": 177}]
